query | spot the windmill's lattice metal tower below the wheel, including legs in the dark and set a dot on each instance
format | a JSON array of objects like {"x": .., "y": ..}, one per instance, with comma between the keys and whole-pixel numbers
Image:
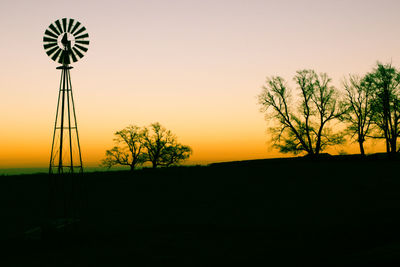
[{"x": 67, "y": 190}]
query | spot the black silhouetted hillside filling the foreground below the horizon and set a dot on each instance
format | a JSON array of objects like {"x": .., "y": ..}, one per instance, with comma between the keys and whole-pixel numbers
[{"x": 337, "y": 211}]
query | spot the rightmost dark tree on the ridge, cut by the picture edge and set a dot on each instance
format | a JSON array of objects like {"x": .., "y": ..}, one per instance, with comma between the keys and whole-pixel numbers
[{"x": 386, "y": 103}]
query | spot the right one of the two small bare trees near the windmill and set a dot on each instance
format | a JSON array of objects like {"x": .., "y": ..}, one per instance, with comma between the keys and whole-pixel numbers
[{"x": 162, "y": 148}]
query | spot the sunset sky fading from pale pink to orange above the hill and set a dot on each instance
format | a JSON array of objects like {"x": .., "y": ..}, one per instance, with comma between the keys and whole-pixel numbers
[{"x": 194, "y": 66}]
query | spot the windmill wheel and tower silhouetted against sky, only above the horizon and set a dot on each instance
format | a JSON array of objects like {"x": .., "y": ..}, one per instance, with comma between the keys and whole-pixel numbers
[{"x": 65, "y": 41}]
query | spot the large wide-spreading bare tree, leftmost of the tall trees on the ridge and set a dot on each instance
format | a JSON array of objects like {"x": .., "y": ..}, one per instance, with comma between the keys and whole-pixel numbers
[{"x": 302, "y": 127}]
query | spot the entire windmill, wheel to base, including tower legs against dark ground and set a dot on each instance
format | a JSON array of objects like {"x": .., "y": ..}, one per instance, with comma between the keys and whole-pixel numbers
[{"x": 65, "y": 41}]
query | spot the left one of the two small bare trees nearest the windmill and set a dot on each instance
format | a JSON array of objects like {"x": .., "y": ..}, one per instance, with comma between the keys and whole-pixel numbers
[{"x": 129, "y": 150}]
